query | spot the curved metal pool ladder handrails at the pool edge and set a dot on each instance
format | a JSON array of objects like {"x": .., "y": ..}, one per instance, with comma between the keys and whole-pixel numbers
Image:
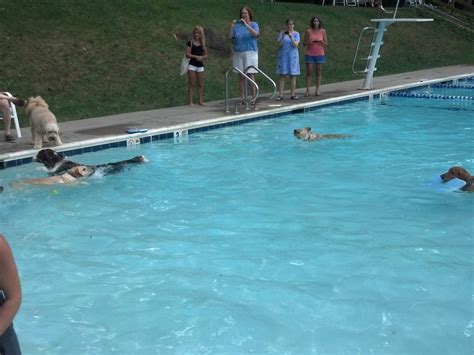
[{"x": 248, "y": 101}]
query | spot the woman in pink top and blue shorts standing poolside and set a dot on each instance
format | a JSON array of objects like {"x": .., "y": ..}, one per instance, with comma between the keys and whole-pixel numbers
[{"x": 315, "y": 41}]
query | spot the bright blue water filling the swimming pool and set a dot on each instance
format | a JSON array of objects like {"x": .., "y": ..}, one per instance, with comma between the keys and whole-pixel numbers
[{"x": 247, "y": 240}]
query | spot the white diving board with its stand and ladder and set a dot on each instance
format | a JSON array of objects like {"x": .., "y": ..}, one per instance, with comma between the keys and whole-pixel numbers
[{"x": 375, "y": 45}]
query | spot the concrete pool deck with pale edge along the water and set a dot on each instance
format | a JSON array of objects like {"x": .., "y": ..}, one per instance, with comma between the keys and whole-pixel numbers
[{"x": 94, "y": 130}]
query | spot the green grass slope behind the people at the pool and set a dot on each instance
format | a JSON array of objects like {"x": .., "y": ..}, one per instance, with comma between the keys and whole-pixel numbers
[{"x": 102, "y": 57}]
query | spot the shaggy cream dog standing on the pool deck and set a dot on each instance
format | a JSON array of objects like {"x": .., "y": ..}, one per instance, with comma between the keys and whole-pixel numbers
[{"x": 44, "y": 126}]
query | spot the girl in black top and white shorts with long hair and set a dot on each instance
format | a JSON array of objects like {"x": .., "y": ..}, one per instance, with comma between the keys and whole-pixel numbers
[{"x": 196, "y": 51}]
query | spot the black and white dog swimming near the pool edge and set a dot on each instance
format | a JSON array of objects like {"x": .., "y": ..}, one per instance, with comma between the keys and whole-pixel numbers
[{"x": 56, "y": 163}]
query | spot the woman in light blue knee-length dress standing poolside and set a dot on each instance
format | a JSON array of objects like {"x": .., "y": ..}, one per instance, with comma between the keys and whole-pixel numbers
[{"x": 288, "y": 58}]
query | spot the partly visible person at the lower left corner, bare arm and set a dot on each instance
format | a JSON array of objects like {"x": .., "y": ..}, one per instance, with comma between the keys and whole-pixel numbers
[{"x": 10, "y": 299}]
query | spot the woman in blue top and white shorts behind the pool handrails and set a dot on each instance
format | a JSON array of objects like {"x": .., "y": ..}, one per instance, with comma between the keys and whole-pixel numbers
[{"x": 244, "y": 34}]
